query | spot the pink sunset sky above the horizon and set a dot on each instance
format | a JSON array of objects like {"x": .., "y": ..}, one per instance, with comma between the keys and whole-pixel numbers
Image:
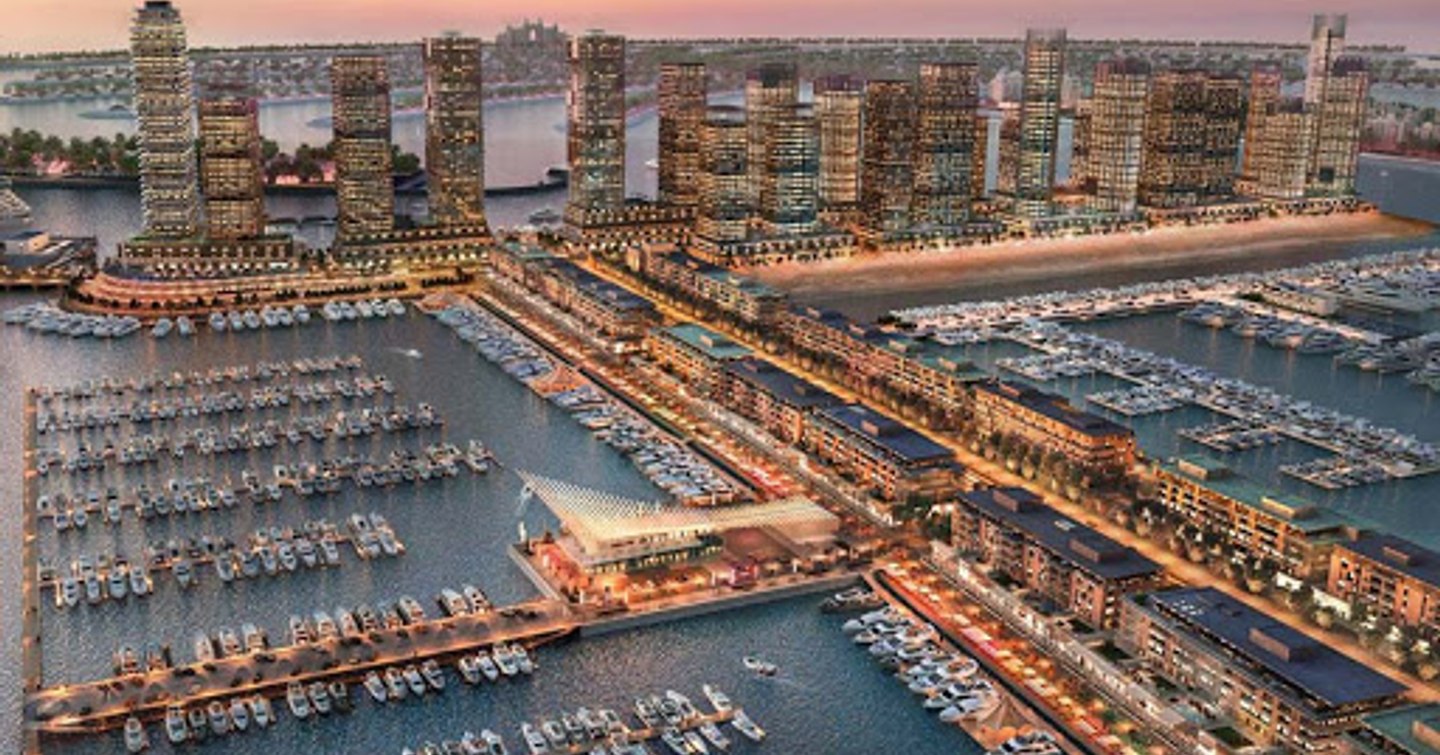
[{"x": 67, "y": 25}]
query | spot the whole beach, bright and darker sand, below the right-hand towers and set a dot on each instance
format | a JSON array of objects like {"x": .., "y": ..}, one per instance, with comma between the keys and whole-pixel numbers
[{"x": 868, "y": 286}]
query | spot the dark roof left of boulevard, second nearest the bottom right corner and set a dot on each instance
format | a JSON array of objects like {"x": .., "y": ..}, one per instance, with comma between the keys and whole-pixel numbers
[{"x": 1084, "y": 547}]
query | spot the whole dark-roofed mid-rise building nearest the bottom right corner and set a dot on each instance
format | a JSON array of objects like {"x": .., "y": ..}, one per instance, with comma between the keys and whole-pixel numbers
[{"x": 1281, "y": 688}]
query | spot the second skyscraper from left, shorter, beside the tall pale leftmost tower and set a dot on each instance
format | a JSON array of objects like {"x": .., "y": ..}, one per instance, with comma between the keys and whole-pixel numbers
[{"x": 231, "y": 168}]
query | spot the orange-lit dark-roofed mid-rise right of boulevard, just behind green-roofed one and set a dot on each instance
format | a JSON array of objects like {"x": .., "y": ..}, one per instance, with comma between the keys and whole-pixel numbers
[{"x": 1050, "y": 423}]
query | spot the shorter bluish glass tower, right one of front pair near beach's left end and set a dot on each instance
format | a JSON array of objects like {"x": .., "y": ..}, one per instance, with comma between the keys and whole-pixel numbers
[{"x": 790, "y": 194}]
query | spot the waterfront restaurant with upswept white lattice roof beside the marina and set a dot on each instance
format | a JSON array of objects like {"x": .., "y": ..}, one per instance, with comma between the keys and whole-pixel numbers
[{"x": 606, "y": 538}]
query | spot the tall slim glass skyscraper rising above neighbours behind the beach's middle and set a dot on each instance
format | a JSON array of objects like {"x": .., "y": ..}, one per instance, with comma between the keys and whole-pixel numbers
[{"x": 1040, "y": 122}]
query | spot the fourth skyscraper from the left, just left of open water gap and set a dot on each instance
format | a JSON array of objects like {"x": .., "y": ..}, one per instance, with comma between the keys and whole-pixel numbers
[{"x": 454, "y": 132}]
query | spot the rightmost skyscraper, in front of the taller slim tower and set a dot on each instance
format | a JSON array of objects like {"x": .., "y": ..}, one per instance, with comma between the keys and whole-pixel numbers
[{"x": 1338, "y": 123}]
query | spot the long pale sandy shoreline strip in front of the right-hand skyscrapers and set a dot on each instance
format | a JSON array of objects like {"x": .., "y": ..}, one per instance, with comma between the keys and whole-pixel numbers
[{"x": 1055, "y": 260}]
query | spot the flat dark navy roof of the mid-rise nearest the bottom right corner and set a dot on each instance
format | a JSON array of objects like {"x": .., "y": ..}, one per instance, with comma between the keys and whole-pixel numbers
[{"x": 1285, "y": 653}]
